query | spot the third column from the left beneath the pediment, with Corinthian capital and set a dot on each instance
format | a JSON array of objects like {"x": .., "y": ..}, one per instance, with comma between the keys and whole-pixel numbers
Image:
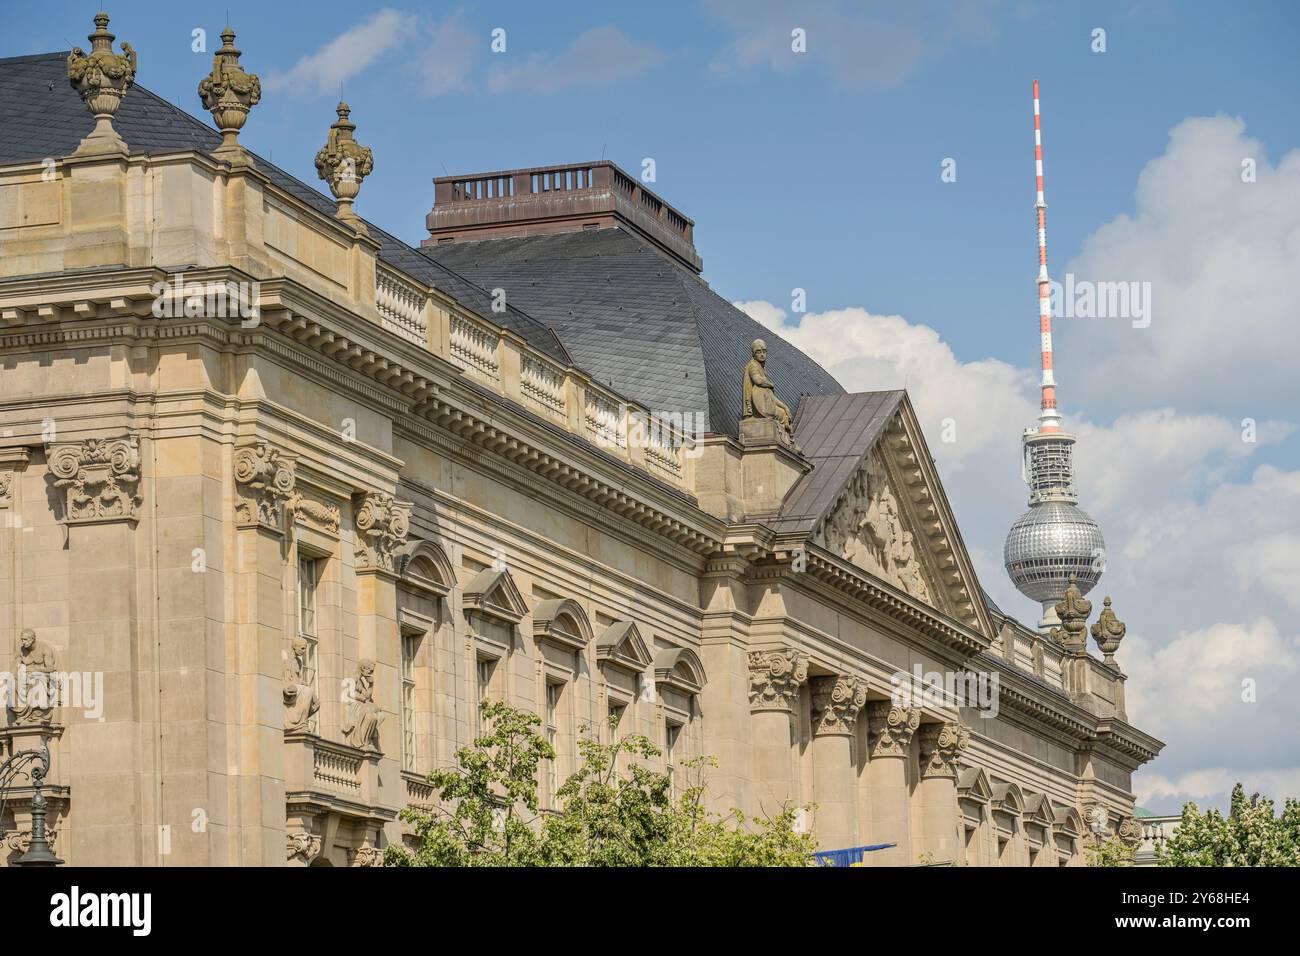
[{"x": 890, "y": 733}]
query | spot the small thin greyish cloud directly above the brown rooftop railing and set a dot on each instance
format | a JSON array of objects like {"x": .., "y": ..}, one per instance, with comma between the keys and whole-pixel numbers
[{"x": 603, "y": 55}]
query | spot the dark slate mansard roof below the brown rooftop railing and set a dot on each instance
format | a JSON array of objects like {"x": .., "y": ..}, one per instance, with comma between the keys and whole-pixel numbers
[{"x": 636, "y": 321}]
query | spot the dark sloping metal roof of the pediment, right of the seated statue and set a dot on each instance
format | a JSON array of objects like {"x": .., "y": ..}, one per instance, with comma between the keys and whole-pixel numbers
[{"x": 835, "y": 432}]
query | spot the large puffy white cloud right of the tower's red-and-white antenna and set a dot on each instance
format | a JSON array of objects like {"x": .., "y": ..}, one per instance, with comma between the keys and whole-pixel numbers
[{"x": 1221, "y": 257}]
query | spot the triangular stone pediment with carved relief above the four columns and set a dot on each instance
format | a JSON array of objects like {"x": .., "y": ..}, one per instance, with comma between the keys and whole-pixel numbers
[{"x": 890, "y": 517}]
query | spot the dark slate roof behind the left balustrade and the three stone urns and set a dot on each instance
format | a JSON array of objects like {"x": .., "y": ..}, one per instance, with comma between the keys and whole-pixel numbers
[{"x": 41, "y": 116}]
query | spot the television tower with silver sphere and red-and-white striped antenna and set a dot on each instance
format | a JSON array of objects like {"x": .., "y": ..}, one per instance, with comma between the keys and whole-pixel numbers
[{"x": 1055, "y": 542}]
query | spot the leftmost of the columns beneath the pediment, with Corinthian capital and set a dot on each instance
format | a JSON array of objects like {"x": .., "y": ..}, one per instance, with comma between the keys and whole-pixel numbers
[{"x": 775, "y": 678}]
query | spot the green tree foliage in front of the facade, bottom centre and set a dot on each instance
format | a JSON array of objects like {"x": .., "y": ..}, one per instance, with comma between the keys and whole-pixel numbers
[{"x": 614, "y": 812}]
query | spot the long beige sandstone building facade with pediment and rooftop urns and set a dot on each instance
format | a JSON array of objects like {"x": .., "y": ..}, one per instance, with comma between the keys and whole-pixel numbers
[{"x": 301, "y": 498}]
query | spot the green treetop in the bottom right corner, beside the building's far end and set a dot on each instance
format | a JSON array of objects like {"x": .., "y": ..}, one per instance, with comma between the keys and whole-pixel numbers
[{"x": 1251, "y": 836}]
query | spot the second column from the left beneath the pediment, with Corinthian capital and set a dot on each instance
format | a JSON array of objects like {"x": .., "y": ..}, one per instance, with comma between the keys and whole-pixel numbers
[{"x": 837, "y": 703}]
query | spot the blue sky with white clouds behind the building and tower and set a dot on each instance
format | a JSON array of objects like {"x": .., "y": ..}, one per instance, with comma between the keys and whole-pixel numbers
[{"x": 821, "y": 171}]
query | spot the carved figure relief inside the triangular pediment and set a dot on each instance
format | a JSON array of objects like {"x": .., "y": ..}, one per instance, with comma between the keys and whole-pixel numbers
[{"x": 868, "y": 530}]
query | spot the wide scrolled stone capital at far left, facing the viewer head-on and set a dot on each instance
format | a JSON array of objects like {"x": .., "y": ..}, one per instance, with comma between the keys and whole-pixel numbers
[{"x": 99, "y": 478}]
